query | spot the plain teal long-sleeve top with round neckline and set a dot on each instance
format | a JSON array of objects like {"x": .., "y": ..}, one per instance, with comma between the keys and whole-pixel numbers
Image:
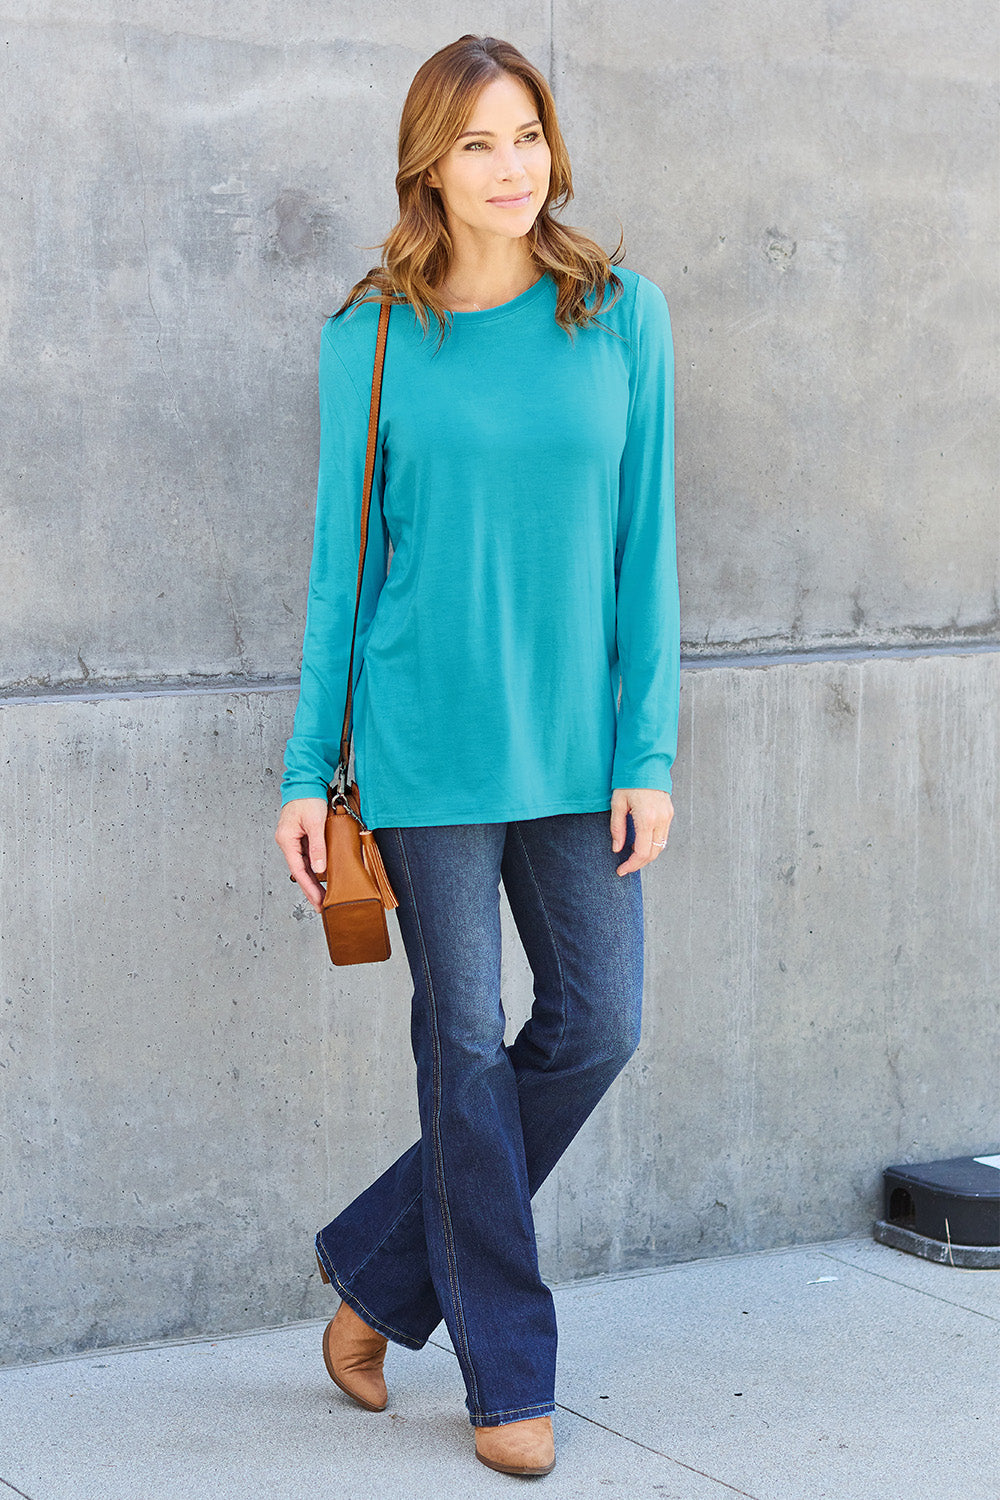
[{"x": 518, "y": 652}]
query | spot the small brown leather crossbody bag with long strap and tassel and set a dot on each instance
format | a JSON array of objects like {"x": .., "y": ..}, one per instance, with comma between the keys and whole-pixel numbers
[{"x": 358, "y": 889}]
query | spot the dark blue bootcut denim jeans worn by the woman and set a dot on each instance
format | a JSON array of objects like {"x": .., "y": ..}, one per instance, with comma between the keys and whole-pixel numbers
[{"x": 448, "y": 1229}]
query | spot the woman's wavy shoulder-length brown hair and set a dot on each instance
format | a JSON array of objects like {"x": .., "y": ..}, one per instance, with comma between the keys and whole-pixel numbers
[{"x": 418, "y": 251}]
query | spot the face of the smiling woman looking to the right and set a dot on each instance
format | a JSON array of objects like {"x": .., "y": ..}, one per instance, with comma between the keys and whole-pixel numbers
[{"x": 496, "y": 178}]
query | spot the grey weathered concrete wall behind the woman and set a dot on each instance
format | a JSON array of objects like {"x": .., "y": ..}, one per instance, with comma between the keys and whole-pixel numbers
[{"x": 188, "y": 1088}]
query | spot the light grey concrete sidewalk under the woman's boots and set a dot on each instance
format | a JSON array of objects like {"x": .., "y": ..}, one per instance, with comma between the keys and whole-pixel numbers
[{"x": 837, "y": 1372}]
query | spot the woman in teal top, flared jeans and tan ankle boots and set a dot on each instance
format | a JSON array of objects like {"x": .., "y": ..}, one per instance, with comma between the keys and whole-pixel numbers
[{"x": 516, "y": 680}]
